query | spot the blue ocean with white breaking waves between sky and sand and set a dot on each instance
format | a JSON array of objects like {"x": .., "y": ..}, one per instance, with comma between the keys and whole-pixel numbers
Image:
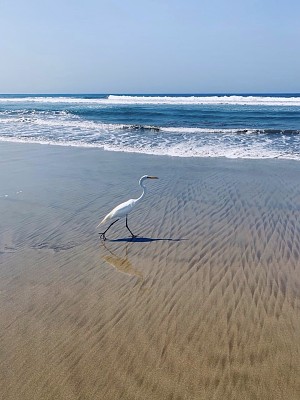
[{"x": 233, "y": 126}]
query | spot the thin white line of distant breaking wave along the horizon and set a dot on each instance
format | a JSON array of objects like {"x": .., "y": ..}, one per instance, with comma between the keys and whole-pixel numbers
[{"x": 160, "y": 100}]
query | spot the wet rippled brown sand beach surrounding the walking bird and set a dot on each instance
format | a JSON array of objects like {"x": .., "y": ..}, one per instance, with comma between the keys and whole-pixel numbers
[{"x": 204, "y": 304}]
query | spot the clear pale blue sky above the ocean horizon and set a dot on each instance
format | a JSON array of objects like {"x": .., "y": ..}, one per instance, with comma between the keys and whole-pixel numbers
[{"x": 149, "y": 46}]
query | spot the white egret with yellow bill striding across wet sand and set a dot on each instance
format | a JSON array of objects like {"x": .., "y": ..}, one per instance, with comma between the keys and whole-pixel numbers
[{"x": 122, "y": 210}]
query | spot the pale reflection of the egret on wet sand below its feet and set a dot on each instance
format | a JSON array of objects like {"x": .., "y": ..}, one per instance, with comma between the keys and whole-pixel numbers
[{"x": 120, "y": 262}]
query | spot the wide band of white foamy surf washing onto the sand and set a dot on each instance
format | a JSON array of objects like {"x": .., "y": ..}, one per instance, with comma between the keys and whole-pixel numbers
[{"x": 64, "y": 129}]
